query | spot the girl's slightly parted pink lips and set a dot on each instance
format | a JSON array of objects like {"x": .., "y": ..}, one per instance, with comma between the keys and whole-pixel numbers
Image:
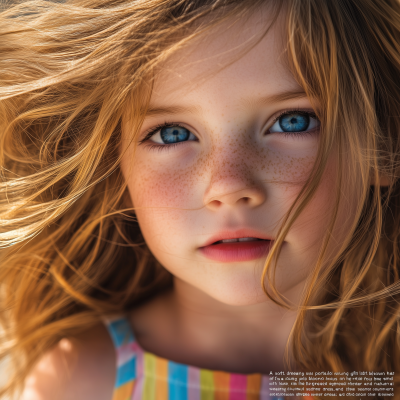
[{"x": 236, "y": 251}]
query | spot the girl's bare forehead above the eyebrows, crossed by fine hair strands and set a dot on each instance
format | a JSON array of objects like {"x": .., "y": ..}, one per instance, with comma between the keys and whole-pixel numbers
[{"x": 236, "y": 59}]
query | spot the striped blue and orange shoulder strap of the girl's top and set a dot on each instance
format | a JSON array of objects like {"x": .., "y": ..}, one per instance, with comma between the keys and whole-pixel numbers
[{"x": 124, "y": 342}]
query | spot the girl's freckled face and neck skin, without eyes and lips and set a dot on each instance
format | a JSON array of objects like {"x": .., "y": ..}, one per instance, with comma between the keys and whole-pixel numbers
[{"x": 236, "y": 170}]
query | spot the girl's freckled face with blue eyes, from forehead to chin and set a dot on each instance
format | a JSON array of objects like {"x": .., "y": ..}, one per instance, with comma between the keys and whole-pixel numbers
[{"x": 237, "y": 146}]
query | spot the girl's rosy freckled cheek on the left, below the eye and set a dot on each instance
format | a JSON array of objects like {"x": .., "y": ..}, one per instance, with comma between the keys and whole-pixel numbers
[{"x": 163, "y": 195}]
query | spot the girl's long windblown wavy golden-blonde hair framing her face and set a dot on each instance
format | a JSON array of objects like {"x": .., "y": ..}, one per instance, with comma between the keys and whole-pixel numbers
[{"x": 68, "y": 74}]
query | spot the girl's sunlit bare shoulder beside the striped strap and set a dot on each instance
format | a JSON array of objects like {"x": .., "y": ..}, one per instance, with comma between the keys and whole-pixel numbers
[{"x": 79, "y": 368}]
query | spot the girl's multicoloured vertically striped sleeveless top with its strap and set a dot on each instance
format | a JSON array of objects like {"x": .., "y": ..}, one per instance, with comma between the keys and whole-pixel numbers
[{"x": 144, "y": 376}]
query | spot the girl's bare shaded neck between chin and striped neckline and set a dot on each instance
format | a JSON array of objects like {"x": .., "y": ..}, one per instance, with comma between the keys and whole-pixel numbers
[{"x": 188, "y": 326}]
